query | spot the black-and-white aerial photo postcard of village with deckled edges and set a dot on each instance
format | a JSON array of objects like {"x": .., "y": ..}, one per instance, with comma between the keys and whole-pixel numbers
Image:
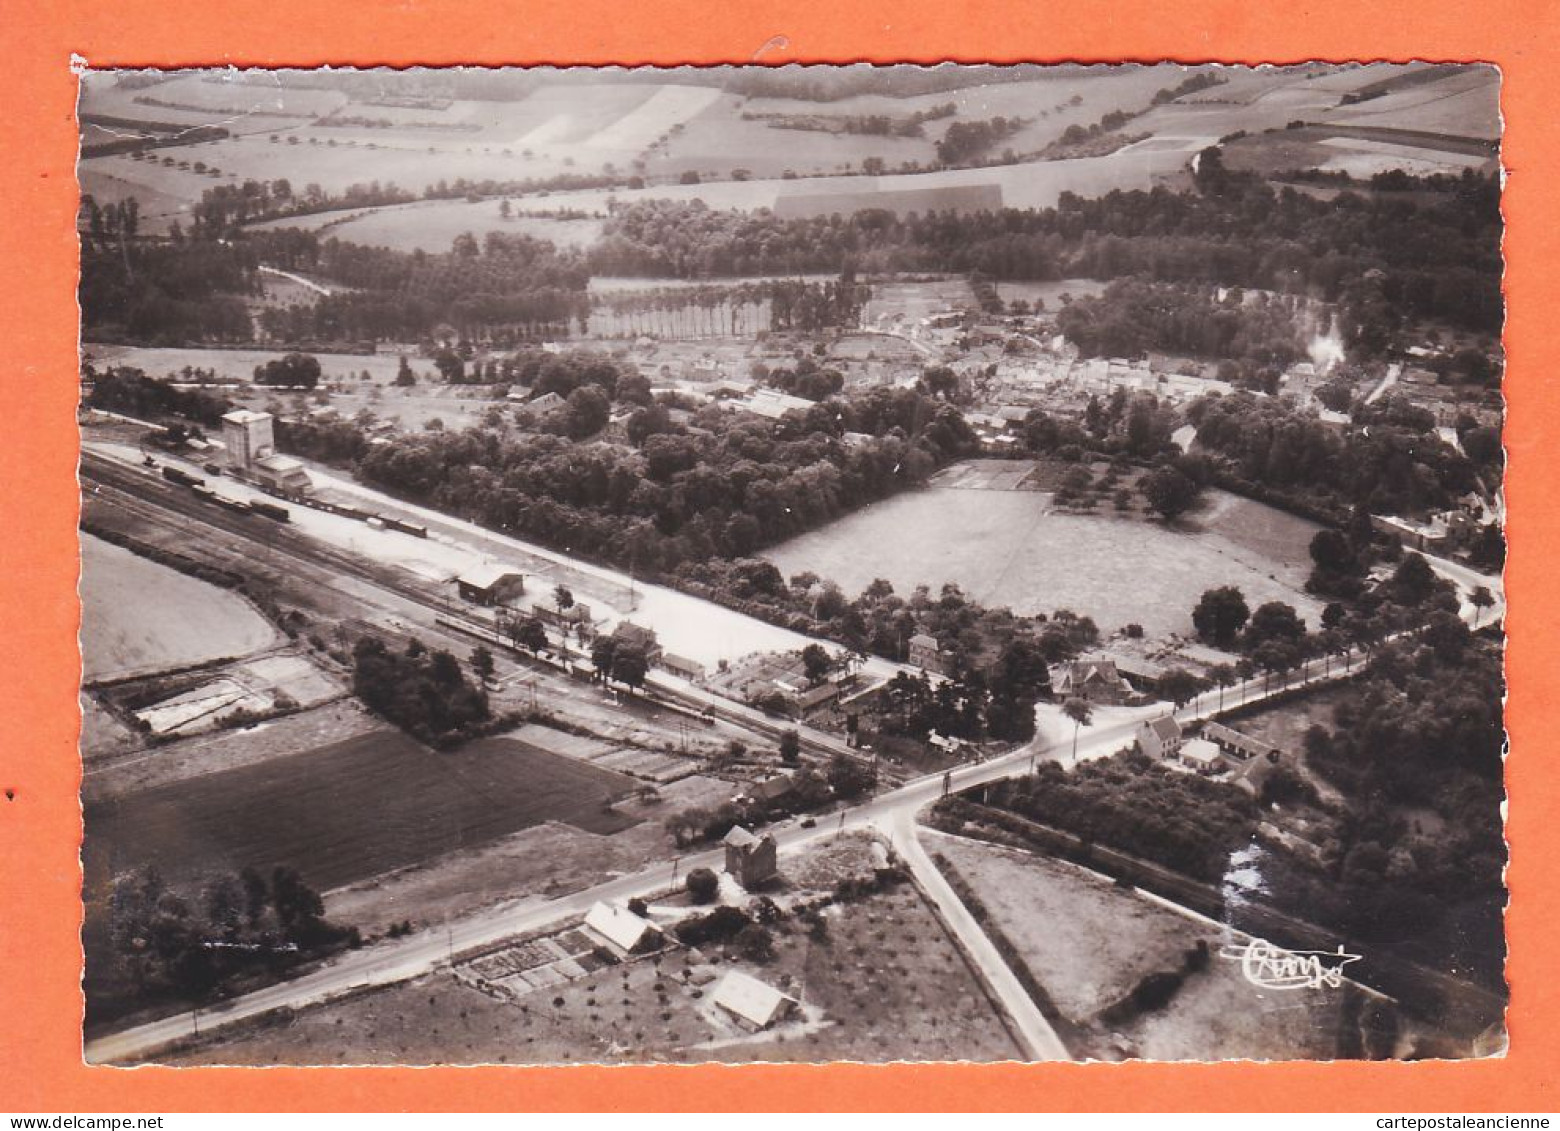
[{"x": 792, "y": 564}]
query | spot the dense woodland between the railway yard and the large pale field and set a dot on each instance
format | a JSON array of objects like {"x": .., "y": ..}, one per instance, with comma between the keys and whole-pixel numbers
[{"x": 720, "y": 486}]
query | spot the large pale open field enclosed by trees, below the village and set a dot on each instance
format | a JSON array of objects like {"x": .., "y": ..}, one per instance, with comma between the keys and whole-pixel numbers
[{"x": 1009, "y": 548}]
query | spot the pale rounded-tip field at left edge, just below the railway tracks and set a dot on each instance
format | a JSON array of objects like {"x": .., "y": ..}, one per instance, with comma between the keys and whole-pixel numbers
[{"x": 140, "y": 617}]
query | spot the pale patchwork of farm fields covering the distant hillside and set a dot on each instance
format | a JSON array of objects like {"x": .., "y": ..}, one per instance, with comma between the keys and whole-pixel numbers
[{"x": 567, "y": 126}]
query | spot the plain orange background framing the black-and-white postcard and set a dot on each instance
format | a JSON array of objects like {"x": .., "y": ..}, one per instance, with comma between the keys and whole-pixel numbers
[{"x": 40, "y": 818}]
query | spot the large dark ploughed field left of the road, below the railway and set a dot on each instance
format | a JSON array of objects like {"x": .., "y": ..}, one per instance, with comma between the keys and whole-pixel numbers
[{"x": 350, "y": 810}]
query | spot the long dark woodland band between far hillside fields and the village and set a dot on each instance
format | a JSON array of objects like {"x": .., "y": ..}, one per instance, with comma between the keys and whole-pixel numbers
[{"x": 1383, "y": 258}]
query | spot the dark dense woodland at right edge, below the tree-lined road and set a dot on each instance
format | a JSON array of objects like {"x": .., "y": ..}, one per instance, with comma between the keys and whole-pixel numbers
[{"x": 1417, "y": 748}]
